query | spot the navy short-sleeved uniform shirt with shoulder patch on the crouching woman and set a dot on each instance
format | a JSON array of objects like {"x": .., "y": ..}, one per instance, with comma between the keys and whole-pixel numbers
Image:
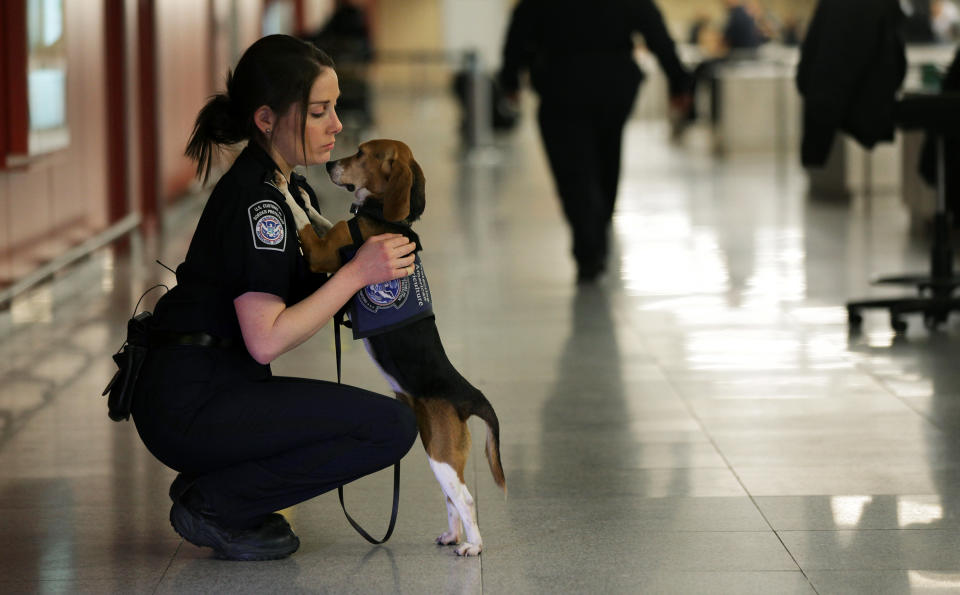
[{"x": 245, "y": 241}]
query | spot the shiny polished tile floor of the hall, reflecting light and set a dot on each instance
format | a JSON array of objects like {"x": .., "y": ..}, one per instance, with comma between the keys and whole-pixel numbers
[{"x": 697, "y": 422}]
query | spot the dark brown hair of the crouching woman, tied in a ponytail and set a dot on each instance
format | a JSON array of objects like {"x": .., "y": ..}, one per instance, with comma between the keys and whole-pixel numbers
[{"x": 277, "y": 71}]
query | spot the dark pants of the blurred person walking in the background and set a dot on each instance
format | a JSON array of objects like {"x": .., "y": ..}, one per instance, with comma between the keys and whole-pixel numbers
[{"x": 583, "y": 142}]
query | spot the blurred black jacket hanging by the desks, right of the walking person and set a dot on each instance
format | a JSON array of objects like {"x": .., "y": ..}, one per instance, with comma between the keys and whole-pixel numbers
[{"x": 852, "y": 62}]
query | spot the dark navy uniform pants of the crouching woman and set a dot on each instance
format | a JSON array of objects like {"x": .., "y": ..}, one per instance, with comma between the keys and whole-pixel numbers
[{"x": 256, "y": 443}]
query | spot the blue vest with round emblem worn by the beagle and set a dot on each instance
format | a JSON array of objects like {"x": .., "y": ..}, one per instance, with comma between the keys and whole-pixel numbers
[{"x": 387, "y": 306}]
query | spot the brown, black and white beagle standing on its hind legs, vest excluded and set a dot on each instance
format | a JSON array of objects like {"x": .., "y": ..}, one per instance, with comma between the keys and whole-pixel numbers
[{"x": 389, "y": 189}]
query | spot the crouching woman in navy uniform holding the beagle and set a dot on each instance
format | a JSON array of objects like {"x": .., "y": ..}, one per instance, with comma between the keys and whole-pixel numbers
[{"x": 247, "y": 443}]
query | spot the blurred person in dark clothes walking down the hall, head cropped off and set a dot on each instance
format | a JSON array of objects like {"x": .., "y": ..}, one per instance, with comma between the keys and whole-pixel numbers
[{"x": 580, "y": 61}]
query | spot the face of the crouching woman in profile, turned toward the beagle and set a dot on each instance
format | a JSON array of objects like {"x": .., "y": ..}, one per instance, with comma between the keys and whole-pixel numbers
[{"x": 322, "y": 125}]
